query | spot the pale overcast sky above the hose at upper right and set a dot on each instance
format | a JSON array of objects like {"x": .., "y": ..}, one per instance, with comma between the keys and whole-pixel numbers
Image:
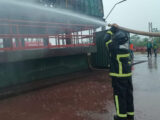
[{"x": 134, "y": 14}]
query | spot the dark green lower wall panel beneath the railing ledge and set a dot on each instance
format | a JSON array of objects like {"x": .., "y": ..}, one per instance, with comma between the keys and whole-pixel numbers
[{"x": 14, "y": 73}]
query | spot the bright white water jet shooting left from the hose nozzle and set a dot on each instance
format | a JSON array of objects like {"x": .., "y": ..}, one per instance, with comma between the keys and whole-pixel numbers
[{"x": 63, "y": 12}]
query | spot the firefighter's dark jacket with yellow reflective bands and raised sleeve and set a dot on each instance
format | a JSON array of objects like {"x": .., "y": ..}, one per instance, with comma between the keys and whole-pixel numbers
[{"x": 120, "y": 63}]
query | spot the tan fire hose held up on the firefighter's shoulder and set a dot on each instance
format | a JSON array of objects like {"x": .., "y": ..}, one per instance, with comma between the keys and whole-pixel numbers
[{"x": 151, "y": 34}]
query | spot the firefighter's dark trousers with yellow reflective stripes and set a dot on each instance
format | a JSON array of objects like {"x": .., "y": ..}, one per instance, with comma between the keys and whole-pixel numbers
[{"x": 123, "y": 97}]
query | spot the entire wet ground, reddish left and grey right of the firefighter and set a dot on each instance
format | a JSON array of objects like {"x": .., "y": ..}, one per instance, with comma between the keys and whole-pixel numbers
[{"x": 88, "y": 98}]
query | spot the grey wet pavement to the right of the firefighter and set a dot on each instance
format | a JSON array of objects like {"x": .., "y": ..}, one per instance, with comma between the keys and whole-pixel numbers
[{"x": 146, "y": 81}]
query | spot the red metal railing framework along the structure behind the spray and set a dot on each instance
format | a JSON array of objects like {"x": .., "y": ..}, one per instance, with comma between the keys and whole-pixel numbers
[{"x": 76, "y": 36}]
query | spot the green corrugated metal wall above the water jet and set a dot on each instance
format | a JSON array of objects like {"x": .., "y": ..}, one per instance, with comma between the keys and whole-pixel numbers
[{"x": 88, "y": 7}]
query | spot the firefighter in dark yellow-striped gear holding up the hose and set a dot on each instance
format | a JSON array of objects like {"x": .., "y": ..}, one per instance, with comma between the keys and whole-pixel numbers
[{"x": 116, "y": 42}]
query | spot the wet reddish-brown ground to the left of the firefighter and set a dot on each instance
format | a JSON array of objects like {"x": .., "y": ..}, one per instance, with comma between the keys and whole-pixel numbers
[{"x": 86, "y": 98}]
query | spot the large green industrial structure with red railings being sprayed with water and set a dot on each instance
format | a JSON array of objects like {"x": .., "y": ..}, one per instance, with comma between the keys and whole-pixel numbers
[{"x": 40, "y": 45}]
